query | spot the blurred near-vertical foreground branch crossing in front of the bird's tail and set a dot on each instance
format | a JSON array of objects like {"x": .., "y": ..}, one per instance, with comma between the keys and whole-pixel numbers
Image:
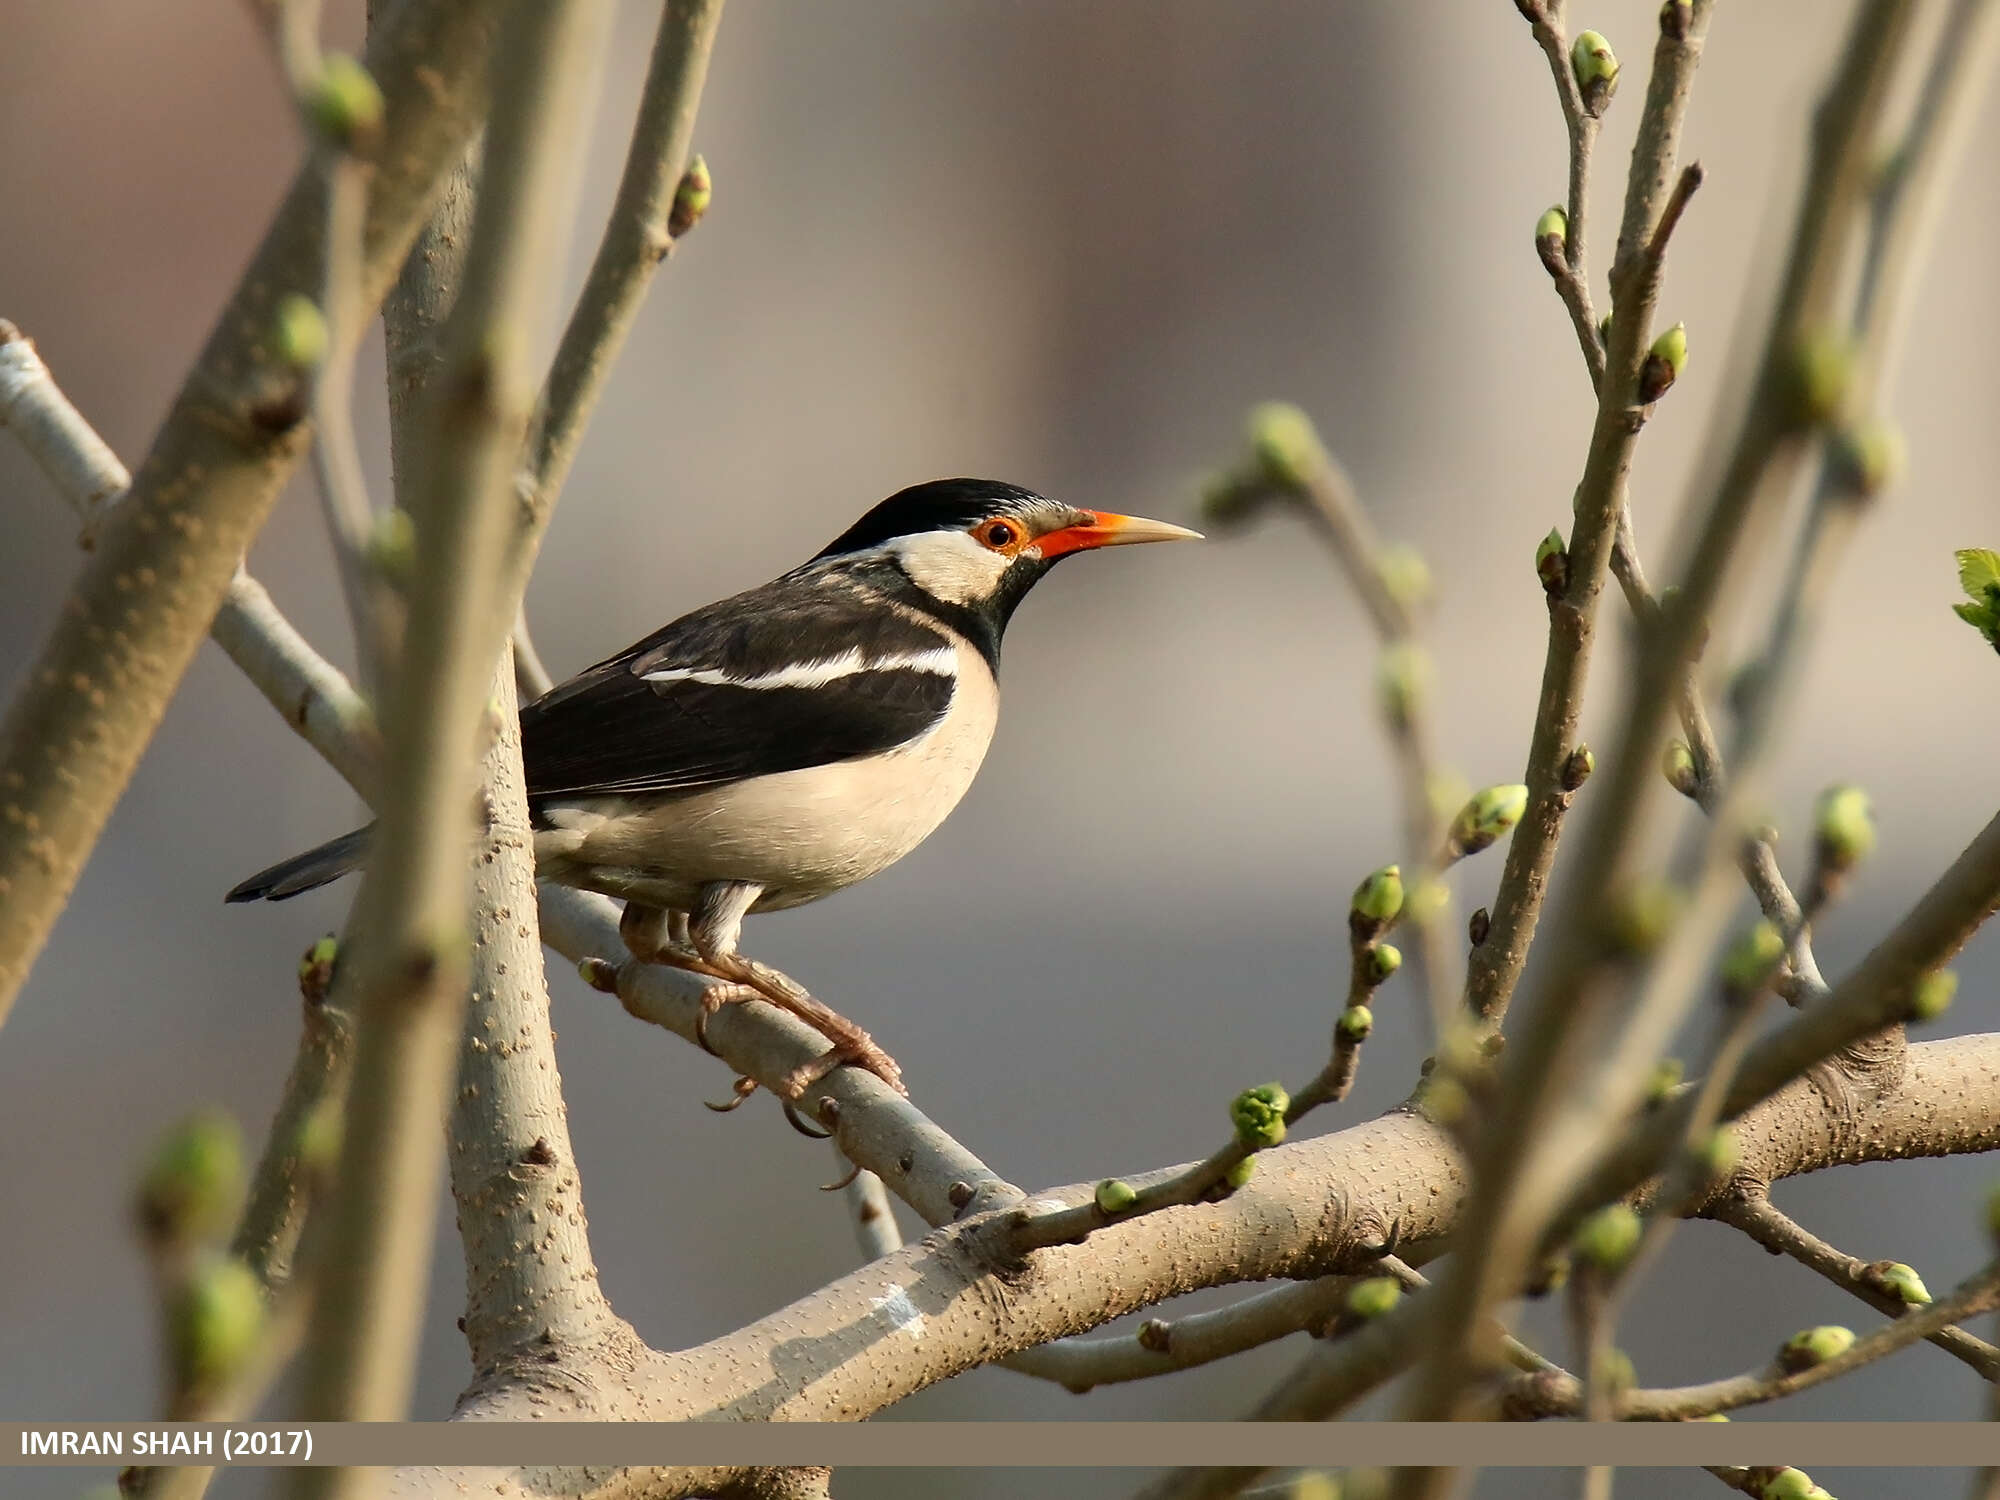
[{"x": 411, "y": 969}]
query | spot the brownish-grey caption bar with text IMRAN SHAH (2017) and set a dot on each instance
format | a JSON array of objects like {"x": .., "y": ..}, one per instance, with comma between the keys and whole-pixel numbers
[{"x": 1023, "y": 1445}]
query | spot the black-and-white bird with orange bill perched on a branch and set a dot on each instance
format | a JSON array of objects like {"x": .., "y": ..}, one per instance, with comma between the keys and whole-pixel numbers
[{"x": 785, "y": 743}]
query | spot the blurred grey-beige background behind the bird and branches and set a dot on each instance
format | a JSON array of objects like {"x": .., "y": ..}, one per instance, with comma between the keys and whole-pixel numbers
[{"x": 1065, "y": 247}]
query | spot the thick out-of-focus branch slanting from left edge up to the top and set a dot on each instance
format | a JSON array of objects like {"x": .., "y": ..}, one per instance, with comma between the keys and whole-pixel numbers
[{"x": 165, "y": 559}]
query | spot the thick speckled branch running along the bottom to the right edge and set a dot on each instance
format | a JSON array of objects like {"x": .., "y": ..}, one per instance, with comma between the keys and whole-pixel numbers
[{"x": 929, "y": 1311}]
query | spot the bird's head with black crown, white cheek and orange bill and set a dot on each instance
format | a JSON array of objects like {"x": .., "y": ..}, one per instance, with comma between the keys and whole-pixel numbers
[{"x": 981, "y": 545}]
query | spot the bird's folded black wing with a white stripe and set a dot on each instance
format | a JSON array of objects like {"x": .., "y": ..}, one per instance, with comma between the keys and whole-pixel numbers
[{"x": 683, "y": 709}]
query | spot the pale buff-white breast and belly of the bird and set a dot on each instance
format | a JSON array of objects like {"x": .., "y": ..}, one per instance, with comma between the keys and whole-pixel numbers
[{"x": 801, "y": 833}]
